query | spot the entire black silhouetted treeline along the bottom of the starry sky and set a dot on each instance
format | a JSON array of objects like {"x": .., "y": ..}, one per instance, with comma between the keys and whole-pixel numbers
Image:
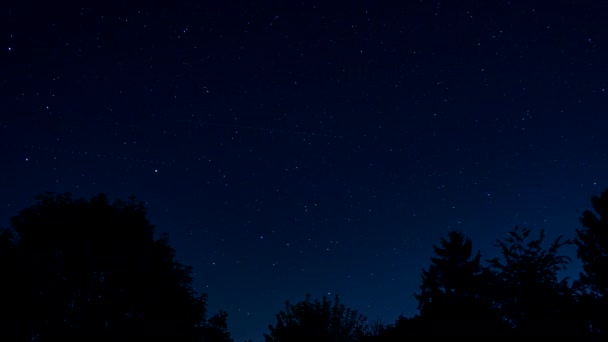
[{"x": 92, "y": 270}]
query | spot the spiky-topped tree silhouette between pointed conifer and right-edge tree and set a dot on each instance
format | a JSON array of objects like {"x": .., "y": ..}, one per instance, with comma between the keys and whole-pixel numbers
[{"x": 531, "y": 297}]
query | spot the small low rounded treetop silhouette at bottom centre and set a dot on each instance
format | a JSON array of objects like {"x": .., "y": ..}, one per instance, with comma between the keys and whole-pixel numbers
[{"x": 318, "y": 321}]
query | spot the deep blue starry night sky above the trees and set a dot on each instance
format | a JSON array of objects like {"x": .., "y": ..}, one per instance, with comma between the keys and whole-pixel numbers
[{"x": 310, "y": 147}]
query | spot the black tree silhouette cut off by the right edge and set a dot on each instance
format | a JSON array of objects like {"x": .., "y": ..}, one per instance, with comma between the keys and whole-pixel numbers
[{"x": 592, "y": 250}]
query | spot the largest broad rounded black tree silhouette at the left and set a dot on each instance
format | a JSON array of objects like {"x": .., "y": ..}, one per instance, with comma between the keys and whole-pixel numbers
[{"x": 76, "y": 269}]
